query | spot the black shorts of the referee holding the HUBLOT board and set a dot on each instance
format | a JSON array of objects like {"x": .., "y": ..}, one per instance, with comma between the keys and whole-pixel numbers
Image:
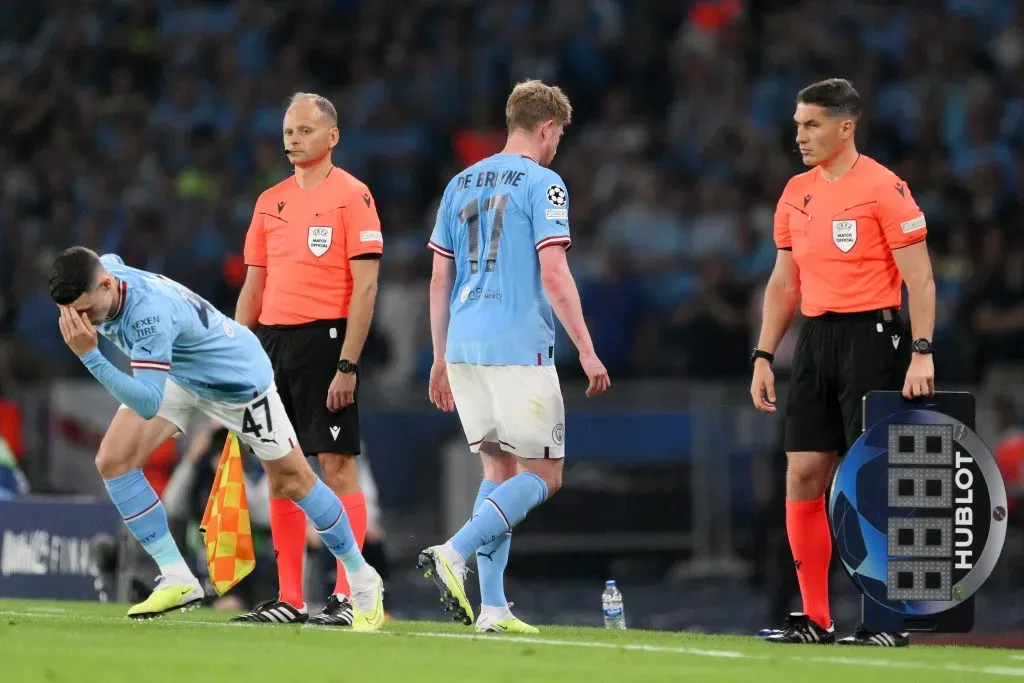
[{"x": 839, "y": 359}]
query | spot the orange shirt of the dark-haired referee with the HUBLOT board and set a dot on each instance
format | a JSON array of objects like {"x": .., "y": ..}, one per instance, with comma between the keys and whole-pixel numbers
[{"x": 842, "y": 235}]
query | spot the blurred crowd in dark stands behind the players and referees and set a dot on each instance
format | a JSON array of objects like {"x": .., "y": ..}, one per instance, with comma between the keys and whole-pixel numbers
[{"x": 149, "y": 127}]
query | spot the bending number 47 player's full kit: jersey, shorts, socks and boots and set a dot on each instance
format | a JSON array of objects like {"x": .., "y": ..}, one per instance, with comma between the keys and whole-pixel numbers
[{"x": 188, "y": 357}]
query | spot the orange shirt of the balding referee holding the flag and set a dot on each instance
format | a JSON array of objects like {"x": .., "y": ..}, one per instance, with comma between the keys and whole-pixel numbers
[{"x": 305, "y": 239}]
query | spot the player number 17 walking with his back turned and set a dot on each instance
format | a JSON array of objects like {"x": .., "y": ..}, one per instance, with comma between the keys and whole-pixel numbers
[{"x": 499, "y": 270}]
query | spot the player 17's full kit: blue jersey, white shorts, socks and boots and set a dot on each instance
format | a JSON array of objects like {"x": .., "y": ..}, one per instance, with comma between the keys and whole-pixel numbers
[{"x": 495, "y": 219}]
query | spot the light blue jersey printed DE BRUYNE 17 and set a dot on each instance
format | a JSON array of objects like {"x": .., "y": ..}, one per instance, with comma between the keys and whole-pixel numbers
[{"x": 493, "y": 220}]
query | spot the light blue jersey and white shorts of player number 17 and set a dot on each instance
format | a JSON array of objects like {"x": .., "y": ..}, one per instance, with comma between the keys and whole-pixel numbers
[{"x": 493, "y": 221}]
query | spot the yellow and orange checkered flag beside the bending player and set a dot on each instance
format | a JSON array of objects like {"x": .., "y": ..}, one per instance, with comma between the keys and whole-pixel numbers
[{"x": 230, "y": 552}]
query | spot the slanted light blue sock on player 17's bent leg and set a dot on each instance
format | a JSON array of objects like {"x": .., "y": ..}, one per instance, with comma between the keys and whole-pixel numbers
[{"x": 500, "y": 513}]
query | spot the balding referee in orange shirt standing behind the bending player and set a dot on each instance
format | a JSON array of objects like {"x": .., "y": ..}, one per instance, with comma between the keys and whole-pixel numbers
[{"x": 313, "y": 252}]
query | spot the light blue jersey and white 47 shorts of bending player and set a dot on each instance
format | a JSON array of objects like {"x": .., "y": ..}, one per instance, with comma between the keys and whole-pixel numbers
[{"x": 187, "y": 358}]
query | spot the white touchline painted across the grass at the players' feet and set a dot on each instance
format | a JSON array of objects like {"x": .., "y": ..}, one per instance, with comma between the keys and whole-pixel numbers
[{"x": 1014, "y": 672}]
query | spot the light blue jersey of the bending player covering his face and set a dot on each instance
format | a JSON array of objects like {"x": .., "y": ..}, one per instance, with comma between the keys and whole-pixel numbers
[{"x": 164, "y": 326}]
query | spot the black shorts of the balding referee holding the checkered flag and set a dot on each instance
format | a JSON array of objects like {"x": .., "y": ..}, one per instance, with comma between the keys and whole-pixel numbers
[{"x": 306, "y": 361}]
